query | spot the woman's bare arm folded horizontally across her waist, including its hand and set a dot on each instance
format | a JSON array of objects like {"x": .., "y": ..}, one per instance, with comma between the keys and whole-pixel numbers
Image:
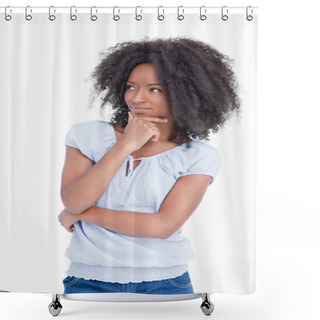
[{"x": 175, "y": 210}]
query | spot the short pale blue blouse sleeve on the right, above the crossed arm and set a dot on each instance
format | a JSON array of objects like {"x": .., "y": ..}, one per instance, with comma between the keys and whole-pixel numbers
[{"x": 202, "y": 159}]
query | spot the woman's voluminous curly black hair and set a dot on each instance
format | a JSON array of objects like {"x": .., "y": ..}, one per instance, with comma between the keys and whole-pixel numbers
[{"x": 198, "y": 82}]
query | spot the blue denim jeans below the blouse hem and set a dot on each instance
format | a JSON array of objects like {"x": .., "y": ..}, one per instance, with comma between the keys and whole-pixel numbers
[{"x": 178, "y": 285}]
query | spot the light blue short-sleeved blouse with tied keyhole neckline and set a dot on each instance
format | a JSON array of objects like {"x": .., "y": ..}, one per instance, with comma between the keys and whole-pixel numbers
[{"x": 100, "y": 254}]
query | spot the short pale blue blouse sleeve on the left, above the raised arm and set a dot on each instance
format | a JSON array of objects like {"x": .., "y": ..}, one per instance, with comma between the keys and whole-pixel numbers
[{"x": 92, "y": 138}]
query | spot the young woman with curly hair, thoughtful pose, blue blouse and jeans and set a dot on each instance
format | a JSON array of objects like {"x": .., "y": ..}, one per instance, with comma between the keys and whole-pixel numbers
[{"x": 129, "y": 185}]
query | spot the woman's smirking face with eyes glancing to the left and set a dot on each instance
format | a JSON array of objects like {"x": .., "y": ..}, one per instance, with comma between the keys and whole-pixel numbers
[{"x": 144, "y": 95}]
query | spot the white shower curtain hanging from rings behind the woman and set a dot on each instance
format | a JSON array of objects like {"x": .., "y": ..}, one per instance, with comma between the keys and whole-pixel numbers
[{"x": 47, "y": 57}]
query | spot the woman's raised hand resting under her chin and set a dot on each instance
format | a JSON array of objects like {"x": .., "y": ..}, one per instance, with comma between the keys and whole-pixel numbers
[{"x": 140, "y": 130}]
